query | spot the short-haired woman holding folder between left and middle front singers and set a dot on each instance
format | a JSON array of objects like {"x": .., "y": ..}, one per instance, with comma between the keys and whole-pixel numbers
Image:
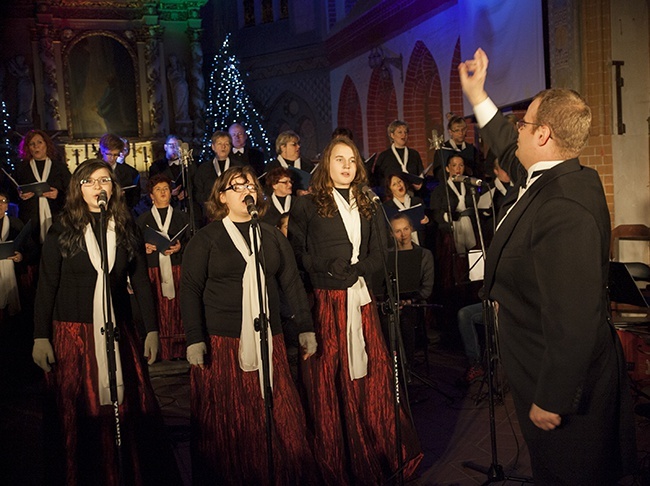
[{"x": 164, "y": 245}]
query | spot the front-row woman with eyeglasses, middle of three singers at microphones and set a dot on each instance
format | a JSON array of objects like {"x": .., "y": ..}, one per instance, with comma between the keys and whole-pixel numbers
[{"x": 219, "y": 305}]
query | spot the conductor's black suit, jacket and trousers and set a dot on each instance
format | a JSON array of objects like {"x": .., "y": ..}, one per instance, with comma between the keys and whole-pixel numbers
[{"x": 547, "y": 268}]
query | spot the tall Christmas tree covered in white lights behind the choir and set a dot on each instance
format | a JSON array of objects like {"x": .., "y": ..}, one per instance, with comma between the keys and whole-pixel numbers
[{"x": 228, "y": 103}]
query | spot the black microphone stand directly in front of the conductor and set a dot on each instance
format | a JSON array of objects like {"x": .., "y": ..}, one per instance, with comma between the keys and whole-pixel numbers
[{"x": 494, "y": 472}]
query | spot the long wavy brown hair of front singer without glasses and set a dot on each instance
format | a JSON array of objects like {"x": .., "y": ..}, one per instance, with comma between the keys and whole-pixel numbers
[{"x": 322, "y": 185}]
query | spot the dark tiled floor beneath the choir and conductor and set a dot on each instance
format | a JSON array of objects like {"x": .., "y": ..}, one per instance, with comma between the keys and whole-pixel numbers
[{"x": 452, "y": 426}]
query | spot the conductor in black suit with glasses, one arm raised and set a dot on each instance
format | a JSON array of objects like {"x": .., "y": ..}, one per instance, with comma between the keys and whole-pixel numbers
[{"x": 546, "y": 271}]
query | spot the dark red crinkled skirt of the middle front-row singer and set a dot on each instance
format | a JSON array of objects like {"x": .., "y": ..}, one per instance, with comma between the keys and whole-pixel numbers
[{"x": 229, "y": 422}]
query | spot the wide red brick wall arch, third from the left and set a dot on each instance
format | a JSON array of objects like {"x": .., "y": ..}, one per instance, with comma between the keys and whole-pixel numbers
[{"x": 423, "y": 99}]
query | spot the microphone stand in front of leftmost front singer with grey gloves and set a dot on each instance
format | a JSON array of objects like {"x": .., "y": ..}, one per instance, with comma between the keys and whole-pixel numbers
[{"x": 112, "y": 337}]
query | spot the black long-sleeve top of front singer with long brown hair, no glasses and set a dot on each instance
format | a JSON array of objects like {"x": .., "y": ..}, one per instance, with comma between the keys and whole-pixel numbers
[{"x": 317, "y": 241}]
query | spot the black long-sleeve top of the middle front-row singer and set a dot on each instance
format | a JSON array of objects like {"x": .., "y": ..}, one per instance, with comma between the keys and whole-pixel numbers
[{"x": 211, "y": 283}]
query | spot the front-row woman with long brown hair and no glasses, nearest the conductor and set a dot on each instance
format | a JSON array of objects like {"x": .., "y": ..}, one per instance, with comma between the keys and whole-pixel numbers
[{"x": 349, "y": 381}]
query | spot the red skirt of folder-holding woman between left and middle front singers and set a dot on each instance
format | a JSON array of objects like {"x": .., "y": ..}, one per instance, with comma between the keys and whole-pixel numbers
[{"x": 172, "y": 334}]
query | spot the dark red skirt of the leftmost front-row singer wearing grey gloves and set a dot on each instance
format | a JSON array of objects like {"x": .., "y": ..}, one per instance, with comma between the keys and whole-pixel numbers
[{"x": 80, "y": 433}]
